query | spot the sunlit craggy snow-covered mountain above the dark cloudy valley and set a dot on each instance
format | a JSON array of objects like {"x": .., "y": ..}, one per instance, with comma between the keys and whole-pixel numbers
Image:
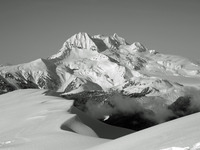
[{"x": 100, "y": 63}]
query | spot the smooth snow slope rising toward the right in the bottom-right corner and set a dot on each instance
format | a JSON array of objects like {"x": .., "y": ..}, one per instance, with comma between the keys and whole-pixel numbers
[{"x": 173, "y": 135}]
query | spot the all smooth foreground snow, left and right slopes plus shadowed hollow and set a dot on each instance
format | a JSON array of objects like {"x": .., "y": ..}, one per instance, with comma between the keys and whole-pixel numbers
[{"x": 29, "y": 119}]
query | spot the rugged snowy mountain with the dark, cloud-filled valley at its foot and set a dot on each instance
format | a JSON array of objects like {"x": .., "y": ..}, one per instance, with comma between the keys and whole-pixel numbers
[{"x": 111, "y": 79}]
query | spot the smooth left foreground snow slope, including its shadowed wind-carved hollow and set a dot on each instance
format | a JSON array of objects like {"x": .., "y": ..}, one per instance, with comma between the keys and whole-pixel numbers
[{"x": 31, "y": 120}]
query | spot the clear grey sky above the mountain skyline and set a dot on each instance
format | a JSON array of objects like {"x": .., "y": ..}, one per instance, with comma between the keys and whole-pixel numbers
[{"x": 31, "y": 29}]
